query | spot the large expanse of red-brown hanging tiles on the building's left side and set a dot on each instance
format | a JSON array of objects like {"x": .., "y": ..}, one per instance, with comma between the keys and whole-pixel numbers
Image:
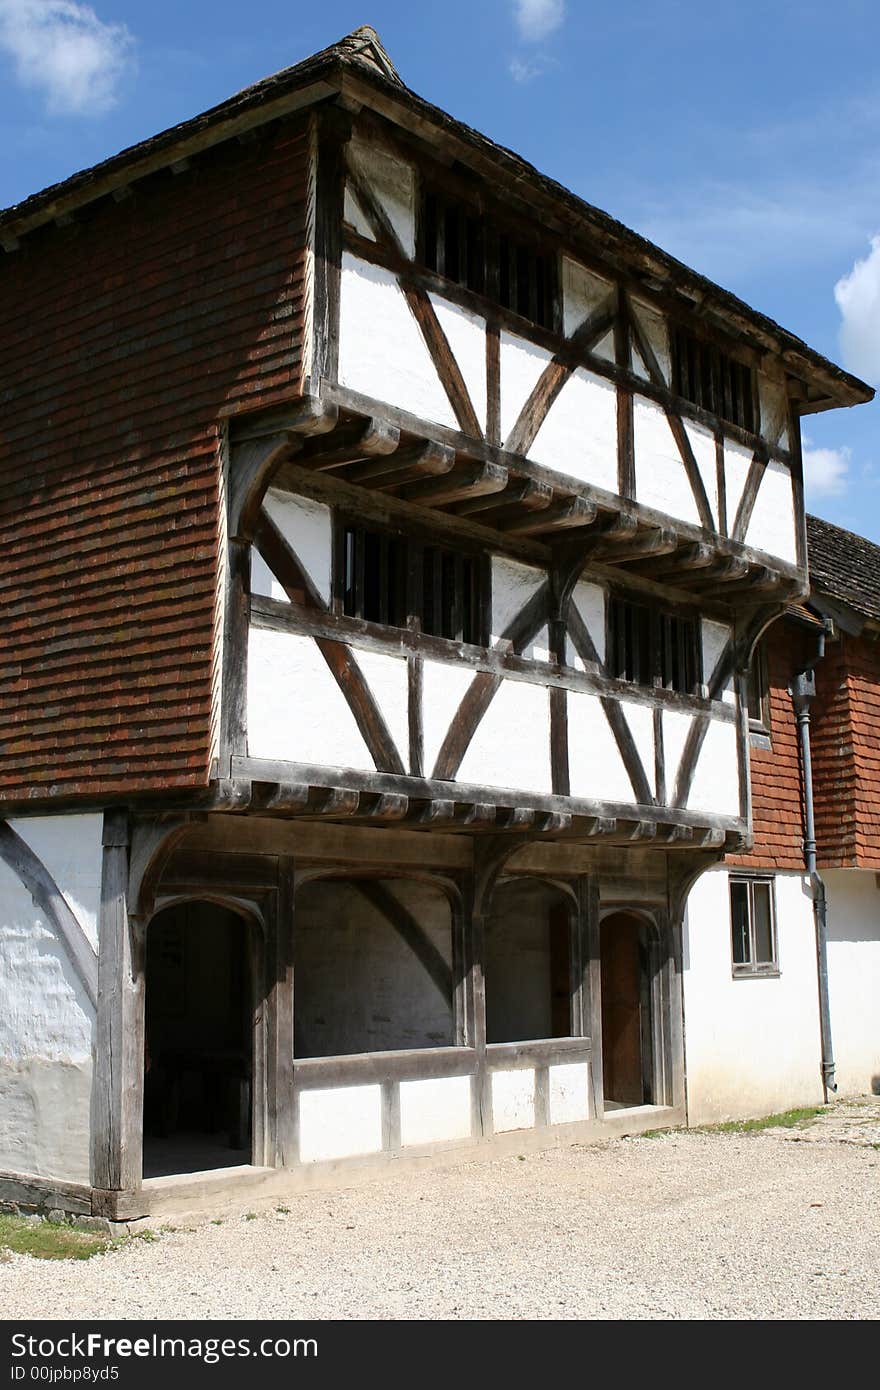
[{"x": 124, "y": 338}]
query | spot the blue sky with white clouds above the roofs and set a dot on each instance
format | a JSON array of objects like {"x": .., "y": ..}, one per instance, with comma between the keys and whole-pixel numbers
[{"x": 744, "y": 140}]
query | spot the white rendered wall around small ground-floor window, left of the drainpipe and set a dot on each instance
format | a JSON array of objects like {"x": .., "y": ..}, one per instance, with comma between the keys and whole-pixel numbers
[{"x": 751, "y": 1043}]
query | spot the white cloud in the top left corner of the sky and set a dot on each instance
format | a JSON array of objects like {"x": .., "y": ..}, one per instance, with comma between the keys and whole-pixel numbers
[{"x": 63, "y": 49}]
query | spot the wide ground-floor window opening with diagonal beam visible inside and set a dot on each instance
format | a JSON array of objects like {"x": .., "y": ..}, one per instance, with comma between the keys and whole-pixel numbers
[{"x": 376, "y": 967}]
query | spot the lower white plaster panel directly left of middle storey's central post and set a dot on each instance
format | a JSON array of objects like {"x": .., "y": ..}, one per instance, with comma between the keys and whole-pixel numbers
[{"x": 512, "y": 744}]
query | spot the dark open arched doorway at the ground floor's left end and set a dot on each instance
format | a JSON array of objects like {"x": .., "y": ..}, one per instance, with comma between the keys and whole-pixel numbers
[{"x": 199, "y": 1040}]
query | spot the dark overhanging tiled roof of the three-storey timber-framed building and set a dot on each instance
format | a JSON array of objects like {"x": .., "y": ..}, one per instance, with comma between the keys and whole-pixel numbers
[{"x": 361, "y": 62}]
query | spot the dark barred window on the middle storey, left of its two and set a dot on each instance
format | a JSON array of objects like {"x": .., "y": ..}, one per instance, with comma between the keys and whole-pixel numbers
[{"x": 414, "y": 544}]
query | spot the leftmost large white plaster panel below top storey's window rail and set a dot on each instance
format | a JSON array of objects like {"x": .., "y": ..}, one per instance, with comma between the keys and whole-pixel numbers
[{"x": 382, "y": 351}]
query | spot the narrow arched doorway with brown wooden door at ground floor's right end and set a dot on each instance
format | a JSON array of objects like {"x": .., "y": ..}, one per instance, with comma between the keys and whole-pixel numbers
[{"x": 628, "y": 1033}]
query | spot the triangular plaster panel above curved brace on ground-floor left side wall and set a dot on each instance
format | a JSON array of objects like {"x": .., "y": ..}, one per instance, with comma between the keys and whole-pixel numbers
[{"x": 72, "y": 850}]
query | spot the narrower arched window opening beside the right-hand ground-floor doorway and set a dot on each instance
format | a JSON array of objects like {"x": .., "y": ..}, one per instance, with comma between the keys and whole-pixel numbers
[{"x": 530, "y": 982}]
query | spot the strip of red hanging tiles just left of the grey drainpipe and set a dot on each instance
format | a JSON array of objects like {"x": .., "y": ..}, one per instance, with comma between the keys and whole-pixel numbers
[{"x": 776, "y": 772}]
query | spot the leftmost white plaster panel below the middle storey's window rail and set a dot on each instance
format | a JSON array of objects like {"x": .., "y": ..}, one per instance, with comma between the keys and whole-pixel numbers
[{"x": 295, "y": 710}]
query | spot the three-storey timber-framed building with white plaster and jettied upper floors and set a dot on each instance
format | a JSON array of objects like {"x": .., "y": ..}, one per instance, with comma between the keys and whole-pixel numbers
[{"x": 386, "y": 539}]
